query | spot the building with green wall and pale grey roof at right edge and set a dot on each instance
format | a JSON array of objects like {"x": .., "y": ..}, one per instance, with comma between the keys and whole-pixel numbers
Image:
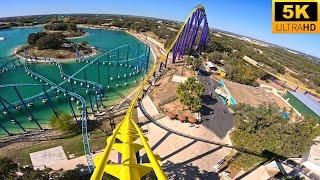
[{"x": 304, "y": 104}]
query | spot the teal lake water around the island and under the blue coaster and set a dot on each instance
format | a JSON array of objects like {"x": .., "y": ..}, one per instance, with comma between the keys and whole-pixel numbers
[{"x": 119, "y": 72}]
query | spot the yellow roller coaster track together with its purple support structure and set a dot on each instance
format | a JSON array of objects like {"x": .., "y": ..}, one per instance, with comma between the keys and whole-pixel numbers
[{"x": 127, "y": 138}]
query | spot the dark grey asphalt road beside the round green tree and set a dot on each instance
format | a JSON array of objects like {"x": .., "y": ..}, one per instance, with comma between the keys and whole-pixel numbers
[{"x": 214, "y": 113}]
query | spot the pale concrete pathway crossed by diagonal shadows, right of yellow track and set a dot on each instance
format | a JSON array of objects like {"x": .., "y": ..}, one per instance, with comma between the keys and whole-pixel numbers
[{"x": 184, "y": 148}]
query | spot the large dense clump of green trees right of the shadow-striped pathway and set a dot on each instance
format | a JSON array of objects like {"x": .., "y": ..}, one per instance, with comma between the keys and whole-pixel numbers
[{"x": 262, "y": 131}]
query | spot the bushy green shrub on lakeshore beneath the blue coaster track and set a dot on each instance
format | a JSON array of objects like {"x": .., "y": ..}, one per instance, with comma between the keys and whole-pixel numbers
[{"x": 64, "y": 122}]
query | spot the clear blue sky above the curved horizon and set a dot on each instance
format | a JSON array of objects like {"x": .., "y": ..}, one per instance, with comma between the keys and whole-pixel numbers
[{"x": 248, "y": 17}]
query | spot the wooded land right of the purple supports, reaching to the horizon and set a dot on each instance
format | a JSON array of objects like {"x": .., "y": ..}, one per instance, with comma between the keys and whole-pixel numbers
[{"x": 276, "y": 59}]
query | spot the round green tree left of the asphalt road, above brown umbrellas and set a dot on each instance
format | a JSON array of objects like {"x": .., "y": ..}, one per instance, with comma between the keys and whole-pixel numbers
[{"x": 190, "y": 93}]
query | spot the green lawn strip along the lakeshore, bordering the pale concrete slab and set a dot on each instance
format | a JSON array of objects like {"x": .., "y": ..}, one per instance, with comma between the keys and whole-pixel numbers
[{"x": 71, "y": 145}]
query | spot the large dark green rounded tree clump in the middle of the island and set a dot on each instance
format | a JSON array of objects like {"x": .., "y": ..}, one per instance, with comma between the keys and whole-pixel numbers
[{"x": 51, "y": 41}]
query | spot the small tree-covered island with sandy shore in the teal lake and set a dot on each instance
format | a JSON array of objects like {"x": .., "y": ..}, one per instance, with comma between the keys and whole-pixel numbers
[{"x": 53, "y": 43}]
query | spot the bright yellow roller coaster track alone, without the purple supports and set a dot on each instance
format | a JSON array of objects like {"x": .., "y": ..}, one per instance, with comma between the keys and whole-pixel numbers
[{"x": 127, "y": 132}]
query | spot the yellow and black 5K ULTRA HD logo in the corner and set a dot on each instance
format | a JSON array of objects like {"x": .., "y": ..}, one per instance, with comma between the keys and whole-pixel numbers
[{"x": 296, "y": 16}]
